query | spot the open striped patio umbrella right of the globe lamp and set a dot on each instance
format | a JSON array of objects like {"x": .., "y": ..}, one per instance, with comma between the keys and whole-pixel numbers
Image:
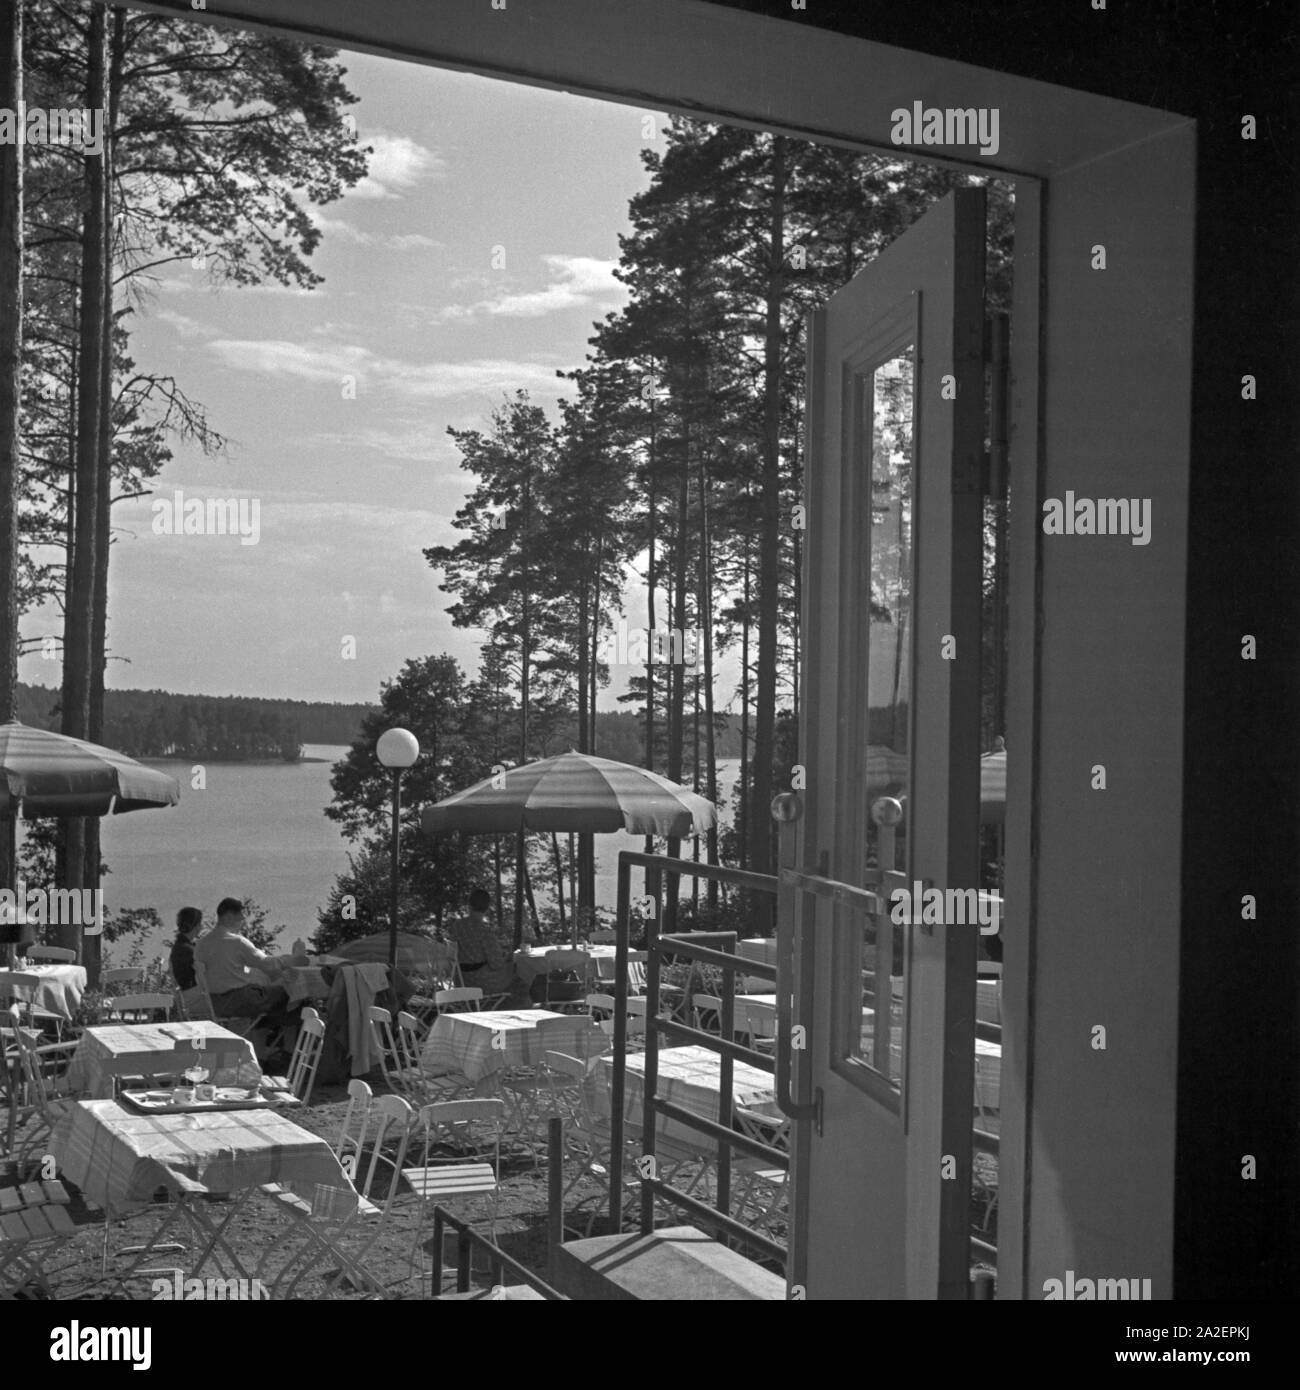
[{"x": 578, "y": 793}]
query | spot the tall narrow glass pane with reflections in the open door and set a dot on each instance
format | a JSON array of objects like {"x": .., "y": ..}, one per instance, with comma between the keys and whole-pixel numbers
[{"x": 888, "y": 700}]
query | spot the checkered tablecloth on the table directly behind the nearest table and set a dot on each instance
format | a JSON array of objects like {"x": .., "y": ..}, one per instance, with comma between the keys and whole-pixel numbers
[{"x": 151, "y": 1049}]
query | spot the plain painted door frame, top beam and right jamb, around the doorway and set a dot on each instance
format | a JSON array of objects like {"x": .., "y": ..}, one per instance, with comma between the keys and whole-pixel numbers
[{"x": 1089, "y": 170}]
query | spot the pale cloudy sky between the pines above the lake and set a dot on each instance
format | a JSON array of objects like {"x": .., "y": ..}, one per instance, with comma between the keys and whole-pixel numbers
[{"x": 472, "y": 262}]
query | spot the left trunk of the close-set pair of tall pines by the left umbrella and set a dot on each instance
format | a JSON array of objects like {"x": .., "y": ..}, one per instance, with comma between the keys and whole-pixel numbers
[{"x": 79, "y": 619}]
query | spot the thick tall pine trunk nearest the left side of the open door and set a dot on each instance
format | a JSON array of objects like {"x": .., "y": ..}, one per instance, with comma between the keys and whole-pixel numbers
[{"x": 770, "y": 572}]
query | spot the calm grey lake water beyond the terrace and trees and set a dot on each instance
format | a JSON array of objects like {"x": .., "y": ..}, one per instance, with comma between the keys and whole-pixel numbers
[{"x": 259, "y": 831}]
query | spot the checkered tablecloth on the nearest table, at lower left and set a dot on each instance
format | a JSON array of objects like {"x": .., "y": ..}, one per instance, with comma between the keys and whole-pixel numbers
[{"x": 120, "y": 1160}]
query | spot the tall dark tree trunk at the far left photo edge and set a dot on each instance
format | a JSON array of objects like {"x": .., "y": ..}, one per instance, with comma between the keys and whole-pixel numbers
[{"x": 10, "y": 389}]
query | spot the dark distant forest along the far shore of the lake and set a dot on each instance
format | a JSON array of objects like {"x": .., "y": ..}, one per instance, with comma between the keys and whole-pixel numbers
[{"x": 254, "y": 729}]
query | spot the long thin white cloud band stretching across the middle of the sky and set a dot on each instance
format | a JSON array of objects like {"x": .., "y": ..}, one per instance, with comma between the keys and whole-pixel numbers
[{"x": 412, "y": 380}]
